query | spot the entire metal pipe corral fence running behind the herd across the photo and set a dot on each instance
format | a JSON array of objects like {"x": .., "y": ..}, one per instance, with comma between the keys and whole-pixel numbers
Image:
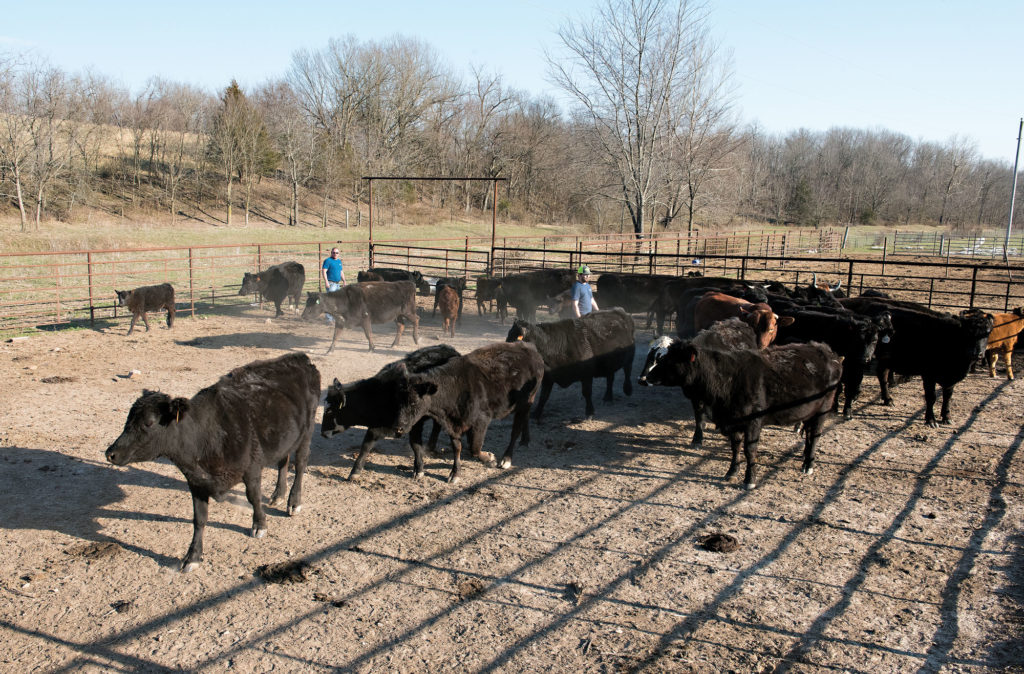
[{"x": 65, "y": 288}]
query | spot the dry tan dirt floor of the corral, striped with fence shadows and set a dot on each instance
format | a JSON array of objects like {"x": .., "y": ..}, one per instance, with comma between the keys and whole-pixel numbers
[{"x": 903, "y": 553}]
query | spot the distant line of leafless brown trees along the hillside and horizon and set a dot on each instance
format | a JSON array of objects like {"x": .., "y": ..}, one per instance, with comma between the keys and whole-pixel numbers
[{"x": 296, "y": 148}]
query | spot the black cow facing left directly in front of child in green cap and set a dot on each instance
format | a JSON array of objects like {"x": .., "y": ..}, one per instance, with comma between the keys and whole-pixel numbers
[{"x": 578, "y": 350}]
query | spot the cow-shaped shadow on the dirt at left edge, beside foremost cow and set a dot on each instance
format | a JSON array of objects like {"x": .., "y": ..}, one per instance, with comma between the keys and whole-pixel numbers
[{"x": 50, "y": 491}]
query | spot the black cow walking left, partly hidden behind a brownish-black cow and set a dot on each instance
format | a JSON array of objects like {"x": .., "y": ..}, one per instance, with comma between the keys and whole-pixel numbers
[{"x": 378, "y": 404}]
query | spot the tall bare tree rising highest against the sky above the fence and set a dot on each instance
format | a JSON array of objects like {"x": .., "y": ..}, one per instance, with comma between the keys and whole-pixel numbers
[{"x": 625, "y": 68}]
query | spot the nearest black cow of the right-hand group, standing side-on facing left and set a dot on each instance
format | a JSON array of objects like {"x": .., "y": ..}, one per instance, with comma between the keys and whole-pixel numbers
[{"x": 748, "y": 389}]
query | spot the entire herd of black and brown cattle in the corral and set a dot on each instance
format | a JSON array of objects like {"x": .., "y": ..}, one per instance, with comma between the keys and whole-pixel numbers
[{"x": 749, "y": 353}]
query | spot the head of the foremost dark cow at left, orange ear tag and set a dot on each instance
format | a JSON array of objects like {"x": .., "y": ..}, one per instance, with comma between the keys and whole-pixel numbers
[{"x": 144, "y": 436}]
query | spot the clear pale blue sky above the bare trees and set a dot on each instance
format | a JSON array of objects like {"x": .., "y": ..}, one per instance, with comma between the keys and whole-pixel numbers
[{"x": 927, "y": 69}]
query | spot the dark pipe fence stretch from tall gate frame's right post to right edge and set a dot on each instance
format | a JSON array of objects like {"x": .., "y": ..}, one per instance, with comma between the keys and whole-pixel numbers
[{"x": 947, "y": 286}]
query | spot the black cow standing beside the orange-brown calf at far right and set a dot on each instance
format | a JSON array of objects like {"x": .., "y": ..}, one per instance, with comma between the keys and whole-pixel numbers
[{"x": 940, "y": 348}]
